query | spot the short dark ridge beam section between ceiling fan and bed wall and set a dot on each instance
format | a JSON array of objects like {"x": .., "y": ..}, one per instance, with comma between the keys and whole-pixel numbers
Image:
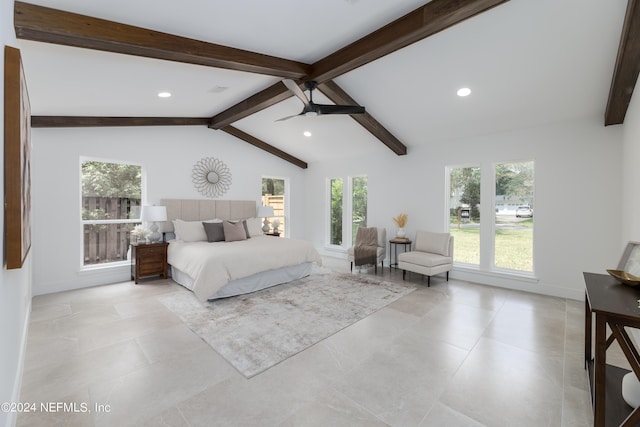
[{"x": 258, "y": 102}]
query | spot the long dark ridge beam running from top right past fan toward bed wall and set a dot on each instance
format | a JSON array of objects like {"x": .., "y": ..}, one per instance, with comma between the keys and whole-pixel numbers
[{"x": 424, "y": 21}]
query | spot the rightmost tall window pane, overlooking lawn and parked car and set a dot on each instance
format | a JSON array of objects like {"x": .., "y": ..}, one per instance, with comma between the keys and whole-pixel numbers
[{"x": 513, "y": 238}]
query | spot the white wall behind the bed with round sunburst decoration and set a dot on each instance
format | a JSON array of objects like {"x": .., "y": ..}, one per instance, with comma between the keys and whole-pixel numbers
[{"x": 167, "y": 155}]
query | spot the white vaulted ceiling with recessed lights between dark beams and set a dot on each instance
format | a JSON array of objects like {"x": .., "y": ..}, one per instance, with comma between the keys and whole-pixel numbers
[{"x": 528, "y": 62}]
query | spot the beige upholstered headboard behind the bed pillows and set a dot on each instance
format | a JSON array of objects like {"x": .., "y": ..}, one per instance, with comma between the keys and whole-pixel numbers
[{"x": 202, "y": 210}]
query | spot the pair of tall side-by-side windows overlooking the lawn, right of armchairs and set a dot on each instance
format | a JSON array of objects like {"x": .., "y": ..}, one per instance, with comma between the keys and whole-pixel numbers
[{"x": 505, "y": 243}]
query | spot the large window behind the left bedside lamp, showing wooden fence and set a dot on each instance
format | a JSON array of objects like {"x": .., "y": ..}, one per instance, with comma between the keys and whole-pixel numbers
[{"x": 111, "y": 200}]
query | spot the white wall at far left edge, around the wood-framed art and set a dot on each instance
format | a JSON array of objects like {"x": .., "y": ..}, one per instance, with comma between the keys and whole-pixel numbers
[{"x": 15, "y": 285}]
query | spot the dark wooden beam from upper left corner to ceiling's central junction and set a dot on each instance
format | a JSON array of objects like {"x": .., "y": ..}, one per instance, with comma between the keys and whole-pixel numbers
[{"x": 48, "y": 25}]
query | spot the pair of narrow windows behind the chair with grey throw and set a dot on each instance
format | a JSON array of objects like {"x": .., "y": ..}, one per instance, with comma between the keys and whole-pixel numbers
[{"x": 351, "y": 209}]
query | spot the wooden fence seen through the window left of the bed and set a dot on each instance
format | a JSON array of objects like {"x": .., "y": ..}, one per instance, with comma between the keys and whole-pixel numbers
[{"x": 108, "y": 242}]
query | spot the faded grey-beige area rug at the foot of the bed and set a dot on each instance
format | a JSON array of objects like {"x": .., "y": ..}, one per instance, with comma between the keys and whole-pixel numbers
[{"x": 257, "y": 331}]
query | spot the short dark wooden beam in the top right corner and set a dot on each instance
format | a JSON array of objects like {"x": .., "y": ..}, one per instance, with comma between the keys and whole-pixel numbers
[{"x": 627, "y": 67}]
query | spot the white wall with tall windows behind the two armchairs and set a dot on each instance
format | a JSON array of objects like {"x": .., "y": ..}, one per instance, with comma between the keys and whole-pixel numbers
[{"x": 577, "y": 196}]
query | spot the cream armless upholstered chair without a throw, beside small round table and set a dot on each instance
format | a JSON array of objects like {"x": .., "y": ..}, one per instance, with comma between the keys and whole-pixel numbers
[{"x": 432, "y": 254}]
